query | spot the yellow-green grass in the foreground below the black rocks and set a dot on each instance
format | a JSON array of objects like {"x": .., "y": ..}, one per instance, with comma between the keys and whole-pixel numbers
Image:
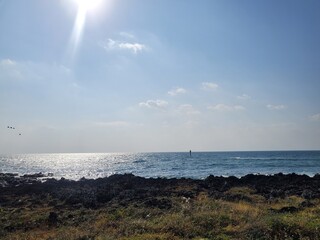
[{"x": 249, "y": 217}]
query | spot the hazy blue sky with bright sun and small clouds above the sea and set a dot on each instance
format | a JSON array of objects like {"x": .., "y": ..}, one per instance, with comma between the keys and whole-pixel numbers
[{"x": 159, "y": 75}]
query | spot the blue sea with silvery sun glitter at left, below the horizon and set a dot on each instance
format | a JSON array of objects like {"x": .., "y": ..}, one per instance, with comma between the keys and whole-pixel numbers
[{"x": 179, "y": 164}]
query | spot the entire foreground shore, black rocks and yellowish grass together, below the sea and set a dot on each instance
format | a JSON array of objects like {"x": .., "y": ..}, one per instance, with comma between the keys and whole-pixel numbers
[{"x": 37, "y": 206}]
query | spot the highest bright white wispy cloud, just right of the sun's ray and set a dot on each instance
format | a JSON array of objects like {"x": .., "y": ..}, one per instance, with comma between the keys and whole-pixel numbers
[{"x": 134, "y": 47}]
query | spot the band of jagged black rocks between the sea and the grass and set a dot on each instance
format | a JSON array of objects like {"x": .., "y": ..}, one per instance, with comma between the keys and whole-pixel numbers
[{"x": 123, "y": 189}]
